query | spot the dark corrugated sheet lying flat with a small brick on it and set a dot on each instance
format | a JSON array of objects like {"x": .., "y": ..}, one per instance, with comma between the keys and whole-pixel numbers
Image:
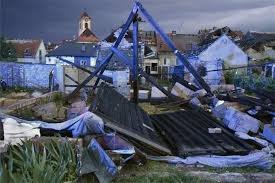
[{"x": 186, "y": 132}]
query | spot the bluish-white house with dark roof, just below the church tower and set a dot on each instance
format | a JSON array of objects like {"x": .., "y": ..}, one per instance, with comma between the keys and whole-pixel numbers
[{"x": 83, "y": 54}]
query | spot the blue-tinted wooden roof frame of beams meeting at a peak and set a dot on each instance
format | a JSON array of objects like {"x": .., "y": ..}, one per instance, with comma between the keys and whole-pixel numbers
[{"x": 136, "y": 70}]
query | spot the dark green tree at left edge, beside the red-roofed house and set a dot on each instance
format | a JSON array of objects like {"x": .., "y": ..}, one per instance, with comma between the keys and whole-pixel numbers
[{"x": 7, "y": 51}]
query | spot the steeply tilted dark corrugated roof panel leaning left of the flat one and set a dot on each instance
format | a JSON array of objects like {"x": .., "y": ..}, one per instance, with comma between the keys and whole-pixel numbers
[{"x": 128, "y": 119}]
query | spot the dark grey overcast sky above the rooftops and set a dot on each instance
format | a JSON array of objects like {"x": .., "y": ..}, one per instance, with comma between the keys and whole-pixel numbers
[{"x": 55, "y": 20}]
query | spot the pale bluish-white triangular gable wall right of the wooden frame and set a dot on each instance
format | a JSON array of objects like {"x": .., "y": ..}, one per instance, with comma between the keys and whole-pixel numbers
[{"x": 226, "y": 50}]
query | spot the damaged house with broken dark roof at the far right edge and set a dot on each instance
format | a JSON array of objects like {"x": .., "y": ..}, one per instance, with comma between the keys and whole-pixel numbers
[{"x": 259, "y": 45}]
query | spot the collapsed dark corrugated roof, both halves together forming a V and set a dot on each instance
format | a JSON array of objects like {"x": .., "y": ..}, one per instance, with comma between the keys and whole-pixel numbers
[{"x": 181, "y": 133}]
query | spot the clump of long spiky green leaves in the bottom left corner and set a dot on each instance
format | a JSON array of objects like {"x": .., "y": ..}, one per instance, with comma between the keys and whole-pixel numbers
[{"x": 39, "y": 162}]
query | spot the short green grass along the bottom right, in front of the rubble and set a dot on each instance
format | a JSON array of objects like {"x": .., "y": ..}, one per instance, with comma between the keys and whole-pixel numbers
[{"x": 154, "y": 171}]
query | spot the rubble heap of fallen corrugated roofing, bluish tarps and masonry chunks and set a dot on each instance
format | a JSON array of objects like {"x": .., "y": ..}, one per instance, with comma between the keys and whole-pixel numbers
[{"x": 209, "y": 133}]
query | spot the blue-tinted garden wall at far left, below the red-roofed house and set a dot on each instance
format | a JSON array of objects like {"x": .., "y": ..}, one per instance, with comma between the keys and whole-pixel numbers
[{"x": 26, "y": 75}]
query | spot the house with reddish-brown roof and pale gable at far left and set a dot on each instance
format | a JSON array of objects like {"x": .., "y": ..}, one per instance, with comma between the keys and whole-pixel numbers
[{"x": 29, "y": 51}]
